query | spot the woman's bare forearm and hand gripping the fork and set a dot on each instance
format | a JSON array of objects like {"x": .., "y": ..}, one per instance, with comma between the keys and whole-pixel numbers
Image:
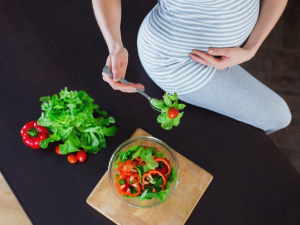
[{"x": 108, "y": 15}]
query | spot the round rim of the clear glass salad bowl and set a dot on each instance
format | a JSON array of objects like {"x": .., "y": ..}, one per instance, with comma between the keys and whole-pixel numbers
[{"x": 114, "y": 156}]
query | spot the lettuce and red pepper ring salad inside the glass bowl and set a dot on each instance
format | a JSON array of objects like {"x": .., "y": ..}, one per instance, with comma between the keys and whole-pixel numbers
[{"x": 144, "y": 173}]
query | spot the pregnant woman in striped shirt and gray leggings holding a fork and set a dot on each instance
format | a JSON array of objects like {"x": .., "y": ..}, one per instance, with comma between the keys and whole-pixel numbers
[{"x": 193, "y": 47}]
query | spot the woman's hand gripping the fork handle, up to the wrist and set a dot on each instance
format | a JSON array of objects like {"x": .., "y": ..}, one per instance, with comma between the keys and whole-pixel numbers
[{"x": 117, "y": 61}]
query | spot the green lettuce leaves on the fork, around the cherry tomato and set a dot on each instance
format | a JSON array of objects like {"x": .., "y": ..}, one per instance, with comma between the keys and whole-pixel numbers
[{"x": 164, "y": 105}]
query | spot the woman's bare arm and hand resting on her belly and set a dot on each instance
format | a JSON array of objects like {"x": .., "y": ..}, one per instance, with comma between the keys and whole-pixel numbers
[{"x": 270, "y": 12}]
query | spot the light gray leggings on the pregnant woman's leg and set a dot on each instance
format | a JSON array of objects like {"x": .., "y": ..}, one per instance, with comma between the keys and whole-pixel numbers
[{"x": 235, "y": 93}]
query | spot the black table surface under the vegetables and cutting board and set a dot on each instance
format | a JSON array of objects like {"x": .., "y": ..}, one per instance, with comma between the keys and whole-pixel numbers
[{"x": 47, "y": 45}]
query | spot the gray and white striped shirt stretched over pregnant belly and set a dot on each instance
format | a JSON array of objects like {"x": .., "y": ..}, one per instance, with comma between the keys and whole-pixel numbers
[{"x": 173, "y": 28}]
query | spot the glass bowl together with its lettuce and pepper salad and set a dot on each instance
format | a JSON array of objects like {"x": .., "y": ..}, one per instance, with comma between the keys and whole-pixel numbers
[{"x": 144, "y": 172}]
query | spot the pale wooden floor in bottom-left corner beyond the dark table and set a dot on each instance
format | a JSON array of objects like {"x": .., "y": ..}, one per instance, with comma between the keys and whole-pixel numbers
[{"x": 11, "y": 213}]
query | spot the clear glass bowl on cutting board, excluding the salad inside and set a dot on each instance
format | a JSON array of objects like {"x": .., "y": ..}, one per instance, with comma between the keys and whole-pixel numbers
[{"x": 143, "y": 141}]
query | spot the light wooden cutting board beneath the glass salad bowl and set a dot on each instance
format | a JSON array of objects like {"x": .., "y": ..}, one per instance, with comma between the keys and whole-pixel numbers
[{"x": 193, "y": 182}]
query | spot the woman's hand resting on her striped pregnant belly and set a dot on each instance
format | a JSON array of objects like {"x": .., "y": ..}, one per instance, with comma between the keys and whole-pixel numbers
[{"x": 227, "y": 57}]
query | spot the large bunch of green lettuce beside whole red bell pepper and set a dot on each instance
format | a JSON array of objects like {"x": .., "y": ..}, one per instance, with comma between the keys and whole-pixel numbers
[{"x": 70, "y": 118}]
